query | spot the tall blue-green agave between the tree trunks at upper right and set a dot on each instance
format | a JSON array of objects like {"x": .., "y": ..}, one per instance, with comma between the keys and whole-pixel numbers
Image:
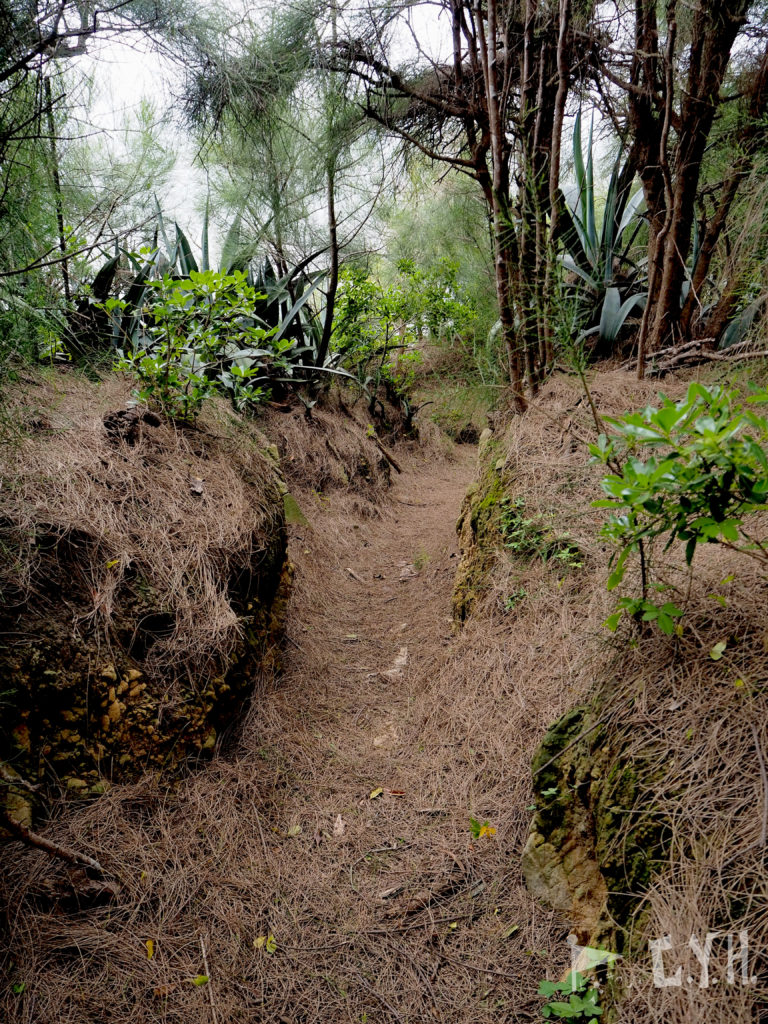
[{"x": 607, "y": 285}]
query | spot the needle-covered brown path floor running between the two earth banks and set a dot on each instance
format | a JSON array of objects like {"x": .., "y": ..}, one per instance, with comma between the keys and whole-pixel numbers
[{"x": 338, "y": 823}]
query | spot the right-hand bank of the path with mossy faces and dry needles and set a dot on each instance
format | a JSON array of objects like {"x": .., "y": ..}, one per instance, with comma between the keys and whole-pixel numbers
[{"x": 635, "y": 834}]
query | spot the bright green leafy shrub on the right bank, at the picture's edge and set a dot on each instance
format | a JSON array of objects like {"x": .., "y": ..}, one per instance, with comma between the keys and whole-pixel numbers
[{"x": 693, "y": 472}]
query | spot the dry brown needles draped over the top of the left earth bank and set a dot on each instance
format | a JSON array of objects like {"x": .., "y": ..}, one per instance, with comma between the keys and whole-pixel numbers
[{"x": 178, "y": 516}]
